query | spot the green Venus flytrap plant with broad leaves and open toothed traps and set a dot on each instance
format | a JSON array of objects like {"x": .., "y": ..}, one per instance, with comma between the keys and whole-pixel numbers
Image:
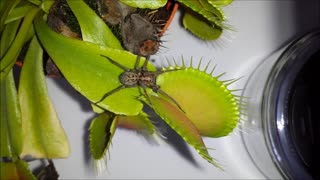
[{"x": 29, "y": 124}]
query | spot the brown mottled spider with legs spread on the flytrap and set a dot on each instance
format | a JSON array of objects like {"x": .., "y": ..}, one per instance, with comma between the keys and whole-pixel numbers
[{"x": 139, "y": 77}]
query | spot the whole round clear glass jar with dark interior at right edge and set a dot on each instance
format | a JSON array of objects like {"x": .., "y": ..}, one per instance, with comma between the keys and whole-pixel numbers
[{"x": 281, "y": 131}]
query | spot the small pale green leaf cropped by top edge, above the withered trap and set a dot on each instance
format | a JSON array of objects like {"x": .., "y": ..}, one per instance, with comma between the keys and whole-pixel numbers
[{"x": 149, "y": 4}]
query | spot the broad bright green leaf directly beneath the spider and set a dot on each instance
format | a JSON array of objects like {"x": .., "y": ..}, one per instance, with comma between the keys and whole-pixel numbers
[{"x": 89, "y": 73}]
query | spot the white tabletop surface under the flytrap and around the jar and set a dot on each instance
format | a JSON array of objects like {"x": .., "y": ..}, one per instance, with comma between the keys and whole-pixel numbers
[{"x": 260, "y": 28}]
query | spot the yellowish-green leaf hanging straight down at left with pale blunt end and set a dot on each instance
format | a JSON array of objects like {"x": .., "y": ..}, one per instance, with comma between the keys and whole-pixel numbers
[{"x": 43, "y": 135}]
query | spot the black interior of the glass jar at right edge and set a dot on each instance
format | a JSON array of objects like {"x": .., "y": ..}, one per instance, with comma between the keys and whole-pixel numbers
[{"x": 304, "y": 115}]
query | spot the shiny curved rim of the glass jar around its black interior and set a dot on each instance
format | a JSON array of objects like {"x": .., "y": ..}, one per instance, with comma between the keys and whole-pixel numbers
[{"x": 274, "y": 102}]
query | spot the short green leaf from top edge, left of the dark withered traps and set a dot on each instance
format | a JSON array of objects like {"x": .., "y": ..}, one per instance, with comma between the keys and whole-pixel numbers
[{"x": 93, "y": 28}]
